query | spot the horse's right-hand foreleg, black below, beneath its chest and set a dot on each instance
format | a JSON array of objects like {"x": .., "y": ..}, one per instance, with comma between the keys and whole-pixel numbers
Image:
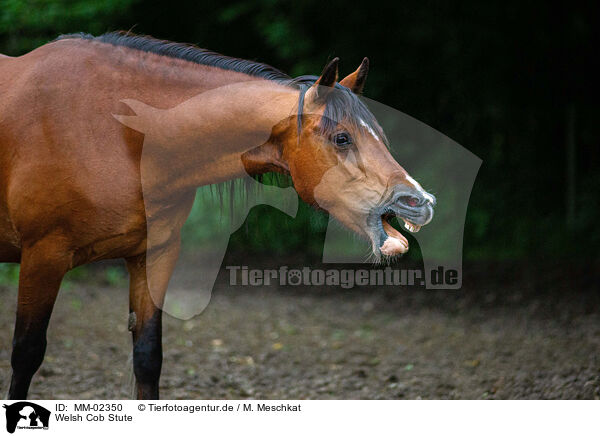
[{"x": 149, "y": 277}]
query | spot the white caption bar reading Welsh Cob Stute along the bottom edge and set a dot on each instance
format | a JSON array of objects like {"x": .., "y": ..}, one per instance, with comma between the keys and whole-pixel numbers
[{"x": 298, "y": 417}]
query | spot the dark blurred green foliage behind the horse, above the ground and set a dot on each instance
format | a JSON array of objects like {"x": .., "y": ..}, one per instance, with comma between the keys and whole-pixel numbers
[{"x": 511, "y": 81}]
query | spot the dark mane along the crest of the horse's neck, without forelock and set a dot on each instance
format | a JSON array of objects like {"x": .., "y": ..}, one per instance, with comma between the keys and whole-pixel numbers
[{"x": 184, "y": 51}]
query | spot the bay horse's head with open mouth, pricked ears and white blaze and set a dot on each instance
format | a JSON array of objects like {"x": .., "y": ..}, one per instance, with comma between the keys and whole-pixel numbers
[{"x": 338, "y": 158}]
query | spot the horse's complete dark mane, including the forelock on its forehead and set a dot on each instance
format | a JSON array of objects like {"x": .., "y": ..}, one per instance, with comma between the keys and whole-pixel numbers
[{"x": 342, "y": 105}]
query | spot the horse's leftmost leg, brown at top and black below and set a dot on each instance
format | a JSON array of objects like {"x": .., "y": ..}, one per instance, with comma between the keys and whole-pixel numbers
[{"x": 43, "y": 266}]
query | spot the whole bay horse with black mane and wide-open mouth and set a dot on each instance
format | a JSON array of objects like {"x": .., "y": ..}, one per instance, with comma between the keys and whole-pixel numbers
[{"x": 71, "y": 179}]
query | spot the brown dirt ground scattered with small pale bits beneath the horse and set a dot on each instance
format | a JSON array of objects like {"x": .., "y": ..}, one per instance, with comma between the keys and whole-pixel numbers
[{"x": 517, "y": 338}]
